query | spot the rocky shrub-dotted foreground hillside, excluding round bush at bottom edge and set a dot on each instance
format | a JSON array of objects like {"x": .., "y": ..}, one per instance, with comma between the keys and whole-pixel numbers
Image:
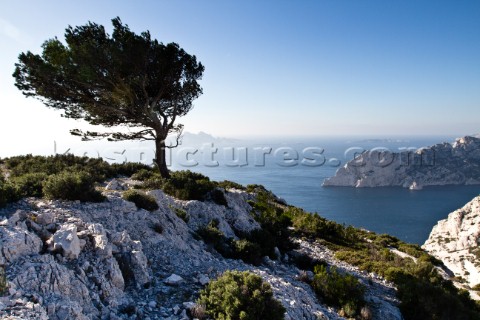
[{"x": 150, "y": 258}]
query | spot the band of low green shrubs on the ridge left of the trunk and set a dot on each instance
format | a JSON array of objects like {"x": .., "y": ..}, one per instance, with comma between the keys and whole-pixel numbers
[{"x": 66, "y": 177}]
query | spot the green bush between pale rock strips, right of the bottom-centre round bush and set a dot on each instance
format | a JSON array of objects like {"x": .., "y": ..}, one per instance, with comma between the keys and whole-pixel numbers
[{"x": 339, "y": 290}]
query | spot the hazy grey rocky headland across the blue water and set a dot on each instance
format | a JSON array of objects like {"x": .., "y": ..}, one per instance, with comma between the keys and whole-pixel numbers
[{"x": 455, "y": 163}]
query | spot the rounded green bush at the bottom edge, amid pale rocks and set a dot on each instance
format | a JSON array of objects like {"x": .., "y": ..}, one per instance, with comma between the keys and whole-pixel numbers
[{"x": 240, "y": 295}]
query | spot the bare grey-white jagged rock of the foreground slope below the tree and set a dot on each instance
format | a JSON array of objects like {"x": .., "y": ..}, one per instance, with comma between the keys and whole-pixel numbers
[{"x": 110, "y": 260}]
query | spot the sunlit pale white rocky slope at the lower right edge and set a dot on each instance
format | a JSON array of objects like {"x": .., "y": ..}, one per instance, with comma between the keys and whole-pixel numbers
[{"x": 455, "y": 241}]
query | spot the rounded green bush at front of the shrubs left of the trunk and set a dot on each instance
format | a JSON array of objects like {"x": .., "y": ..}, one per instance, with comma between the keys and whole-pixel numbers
[{"x": 71, "y": 186}]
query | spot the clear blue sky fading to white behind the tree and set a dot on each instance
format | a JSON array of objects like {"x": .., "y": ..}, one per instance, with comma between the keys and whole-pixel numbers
[{"x": 278, "y": 68}]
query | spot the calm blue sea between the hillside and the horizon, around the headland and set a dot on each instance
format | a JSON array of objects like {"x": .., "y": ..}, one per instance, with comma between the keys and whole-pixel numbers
[{"x": 408, "y": 215}]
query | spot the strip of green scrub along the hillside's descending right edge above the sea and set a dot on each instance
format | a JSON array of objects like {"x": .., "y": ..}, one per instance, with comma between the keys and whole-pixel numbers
[{"x": 424, "y": 294}]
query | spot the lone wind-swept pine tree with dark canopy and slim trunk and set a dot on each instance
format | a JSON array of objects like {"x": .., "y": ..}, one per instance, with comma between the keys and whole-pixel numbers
[{"x": 122, "y": 79}]
